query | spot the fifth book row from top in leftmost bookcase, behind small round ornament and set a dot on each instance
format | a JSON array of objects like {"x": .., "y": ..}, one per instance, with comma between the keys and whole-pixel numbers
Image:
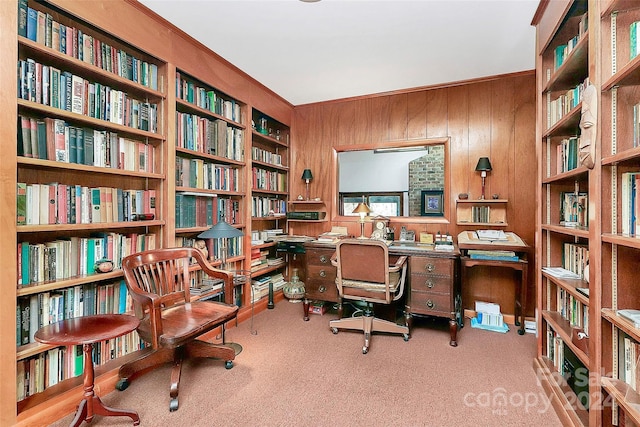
[{"x": 65, "y": 258}]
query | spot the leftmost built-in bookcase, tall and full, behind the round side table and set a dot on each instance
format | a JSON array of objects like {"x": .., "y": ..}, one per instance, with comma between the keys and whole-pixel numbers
[{"x": 89, "y": 186}]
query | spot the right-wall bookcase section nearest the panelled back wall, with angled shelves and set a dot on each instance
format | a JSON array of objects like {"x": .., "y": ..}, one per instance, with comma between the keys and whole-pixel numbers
[{"x": 564, "y": 306}]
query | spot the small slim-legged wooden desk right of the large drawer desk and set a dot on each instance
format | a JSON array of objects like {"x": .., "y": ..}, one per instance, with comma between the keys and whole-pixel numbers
[{"x": 467, "y": 240}]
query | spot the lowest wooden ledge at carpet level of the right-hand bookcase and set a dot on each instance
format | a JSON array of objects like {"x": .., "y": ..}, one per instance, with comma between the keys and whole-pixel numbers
[{"x": 558, "y": 394}]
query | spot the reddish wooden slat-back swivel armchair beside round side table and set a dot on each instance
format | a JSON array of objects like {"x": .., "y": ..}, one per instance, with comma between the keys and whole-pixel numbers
[{"x": 170, "y": 322}]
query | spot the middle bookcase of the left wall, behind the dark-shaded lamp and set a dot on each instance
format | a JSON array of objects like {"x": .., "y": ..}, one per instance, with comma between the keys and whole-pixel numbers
[{"x": 210, "y": 163}]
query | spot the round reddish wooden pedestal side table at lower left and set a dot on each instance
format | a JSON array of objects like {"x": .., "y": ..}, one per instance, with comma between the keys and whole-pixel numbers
[{"x": 88, "y": 330}]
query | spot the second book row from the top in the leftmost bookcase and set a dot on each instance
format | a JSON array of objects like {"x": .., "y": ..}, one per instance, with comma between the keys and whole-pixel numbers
[{"x": 48, "y": 85}]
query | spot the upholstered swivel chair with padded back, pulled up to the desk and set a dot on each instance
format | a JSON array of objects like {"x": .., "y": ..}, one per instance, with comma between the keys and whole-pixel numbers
[{"x": 364, "y": 274}]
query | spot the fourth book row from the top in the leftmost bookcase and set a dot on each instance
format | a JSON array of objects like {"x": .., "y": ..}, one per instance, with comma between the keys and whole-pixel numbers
[{"x": 55, "y": 203}]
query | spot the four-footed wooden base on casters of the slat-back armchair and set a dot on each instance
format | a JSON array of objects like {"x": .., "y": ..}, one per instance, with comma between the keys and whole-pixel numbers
[{"x": 193, "y": 349}]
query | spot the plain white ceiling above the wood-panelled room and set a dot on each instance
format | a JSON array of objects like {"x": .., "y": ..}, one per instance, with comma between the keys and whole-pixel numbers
[{"x": 331, "y": 49}]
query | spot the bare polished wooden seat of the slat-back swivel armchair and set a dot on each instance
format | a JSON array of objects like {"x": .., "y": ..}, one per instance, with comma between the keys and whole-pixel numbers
[{"x": 183, "y": 322}]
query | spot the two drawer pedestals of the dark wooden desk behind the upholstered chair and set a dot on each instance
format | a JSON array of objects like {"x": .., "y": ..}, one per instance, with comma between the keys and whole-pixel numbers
[{"x": 432, "y": 282}]
